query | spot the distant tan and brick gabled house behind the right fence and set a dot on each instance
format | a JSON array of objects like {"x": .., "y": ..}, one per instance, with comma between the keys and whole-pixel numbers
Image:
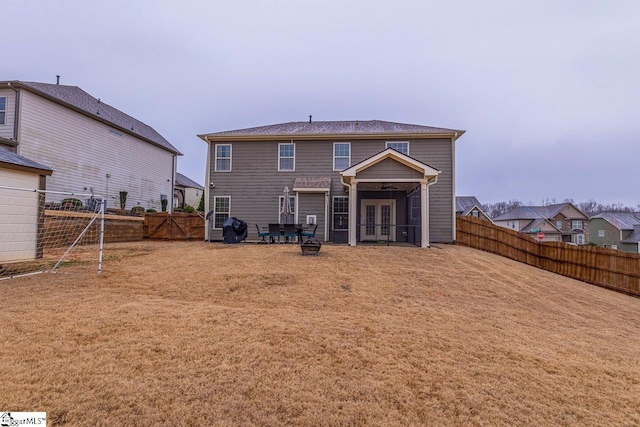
[{"x": 562, "y": 222}]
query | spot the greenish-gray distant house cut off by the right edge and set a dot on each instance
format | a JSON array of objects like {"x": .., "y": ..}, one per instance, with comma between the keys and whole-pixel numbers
[{"x": 617, "y": 230}]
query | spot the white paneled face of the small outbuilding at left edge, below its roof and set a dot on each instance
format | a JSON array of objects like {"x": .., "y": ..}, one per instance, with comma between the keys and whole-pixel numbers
[{"x": 18, "y": 216}]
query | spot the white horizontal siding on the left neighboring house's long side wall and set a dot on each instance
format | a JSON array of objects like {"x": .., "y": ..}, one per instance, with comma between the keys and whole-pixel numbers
[{"x": 82, "y": 151}]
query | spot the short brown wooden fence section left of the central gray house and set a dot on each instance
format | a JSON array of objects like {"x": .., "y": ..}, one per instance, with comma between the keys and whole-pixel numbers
[{"x": 173, "y": 226}]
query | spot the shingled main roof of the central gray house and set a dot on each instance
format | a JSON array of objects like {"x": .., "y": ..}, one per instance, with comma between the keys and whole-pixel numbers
[{"x": 322, "y": 129}]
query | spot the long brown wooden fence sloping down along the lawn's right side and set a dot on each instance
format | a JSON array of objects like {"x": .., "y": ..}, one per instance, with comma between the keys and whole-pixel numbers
[{"x": 599, "y": 266}]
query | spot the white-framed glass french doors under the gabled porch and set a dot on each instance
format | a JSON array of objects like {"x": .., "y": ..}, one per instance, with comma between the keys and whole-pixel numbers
[{"x": 377, "y": 218}]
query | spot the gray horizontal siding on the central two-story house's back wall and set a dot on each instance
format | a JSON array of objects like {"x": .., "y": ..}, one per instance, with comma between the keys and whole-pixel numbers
[{"x": 255, "y": 184}]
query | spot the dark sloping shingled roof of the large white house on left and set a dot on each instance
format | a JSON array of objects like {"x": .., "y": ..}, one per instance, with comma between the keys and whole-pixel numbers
[{"x": 79, "y": 100}]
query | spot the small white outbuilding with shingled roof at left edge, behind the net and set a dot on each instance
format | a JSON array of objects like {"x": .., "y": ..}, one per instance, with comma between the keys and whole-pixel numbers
[{"x": 20, "y": 211}]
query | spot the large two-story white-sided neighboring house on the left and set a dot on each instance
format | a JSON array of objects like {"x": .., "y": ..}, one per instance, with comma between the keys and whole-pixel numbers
[{"x": 88, "y": 144}]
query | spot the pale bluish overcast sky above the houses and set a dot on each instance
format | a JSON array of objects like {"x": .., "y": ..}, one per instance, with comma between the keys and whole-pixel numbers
[{"x": 548, "y": 91}]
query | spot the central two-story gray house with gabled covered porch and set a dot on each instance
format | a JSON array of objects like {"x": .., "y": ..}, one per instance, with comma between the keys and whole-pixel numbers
[{"x": 358, "y": 181}]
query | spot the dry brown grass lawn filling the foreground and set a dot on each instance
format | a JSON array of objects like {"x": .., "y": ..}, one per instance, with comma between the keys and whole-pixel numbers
[{"x": 208, "y": 334}]
